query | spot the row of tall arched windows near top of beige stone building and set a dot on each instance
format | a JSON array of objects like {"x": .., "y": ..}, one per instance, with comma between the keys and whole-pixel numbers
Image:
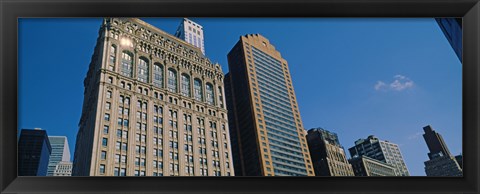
[{"x": 126, "y": 69}]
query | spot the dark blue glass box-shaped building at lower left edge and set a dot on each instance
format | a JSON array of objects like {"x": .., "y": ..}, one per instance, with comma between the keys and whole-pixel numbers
[{"x": 33, "y": 152}]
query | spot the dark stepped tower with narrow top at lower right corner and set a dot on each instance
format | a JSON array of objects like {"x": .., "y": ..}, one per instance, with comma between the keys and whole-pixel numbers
[{"x": 441, "y": 162}]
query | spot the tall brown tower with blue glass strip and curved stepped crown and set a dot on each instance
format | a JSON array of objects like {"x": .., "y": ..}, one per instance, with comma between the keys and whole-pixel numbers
[{"x": 265, "y": 125}]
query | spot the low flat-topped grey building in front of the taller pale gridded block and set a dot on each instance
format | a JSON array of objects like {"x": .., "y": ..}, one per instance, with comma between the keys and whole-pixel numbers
[{"x": 366, "y": 166}]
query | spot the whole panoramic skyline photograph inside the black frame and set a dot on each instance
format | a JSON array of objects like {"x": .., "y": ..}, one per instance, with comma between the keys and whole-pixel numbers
[{"x": 240, "y": 97}]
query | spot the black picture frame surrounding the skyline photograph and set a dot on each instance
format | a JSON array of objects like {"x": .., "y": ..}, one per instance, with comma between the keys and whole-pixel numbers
[{"x": 11, "y": 10}]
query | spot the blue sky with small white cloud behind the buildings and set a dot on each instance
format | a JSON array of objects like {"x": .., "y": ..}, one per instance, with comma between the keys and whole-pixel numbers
[{"x": 356, "y": 77}]
